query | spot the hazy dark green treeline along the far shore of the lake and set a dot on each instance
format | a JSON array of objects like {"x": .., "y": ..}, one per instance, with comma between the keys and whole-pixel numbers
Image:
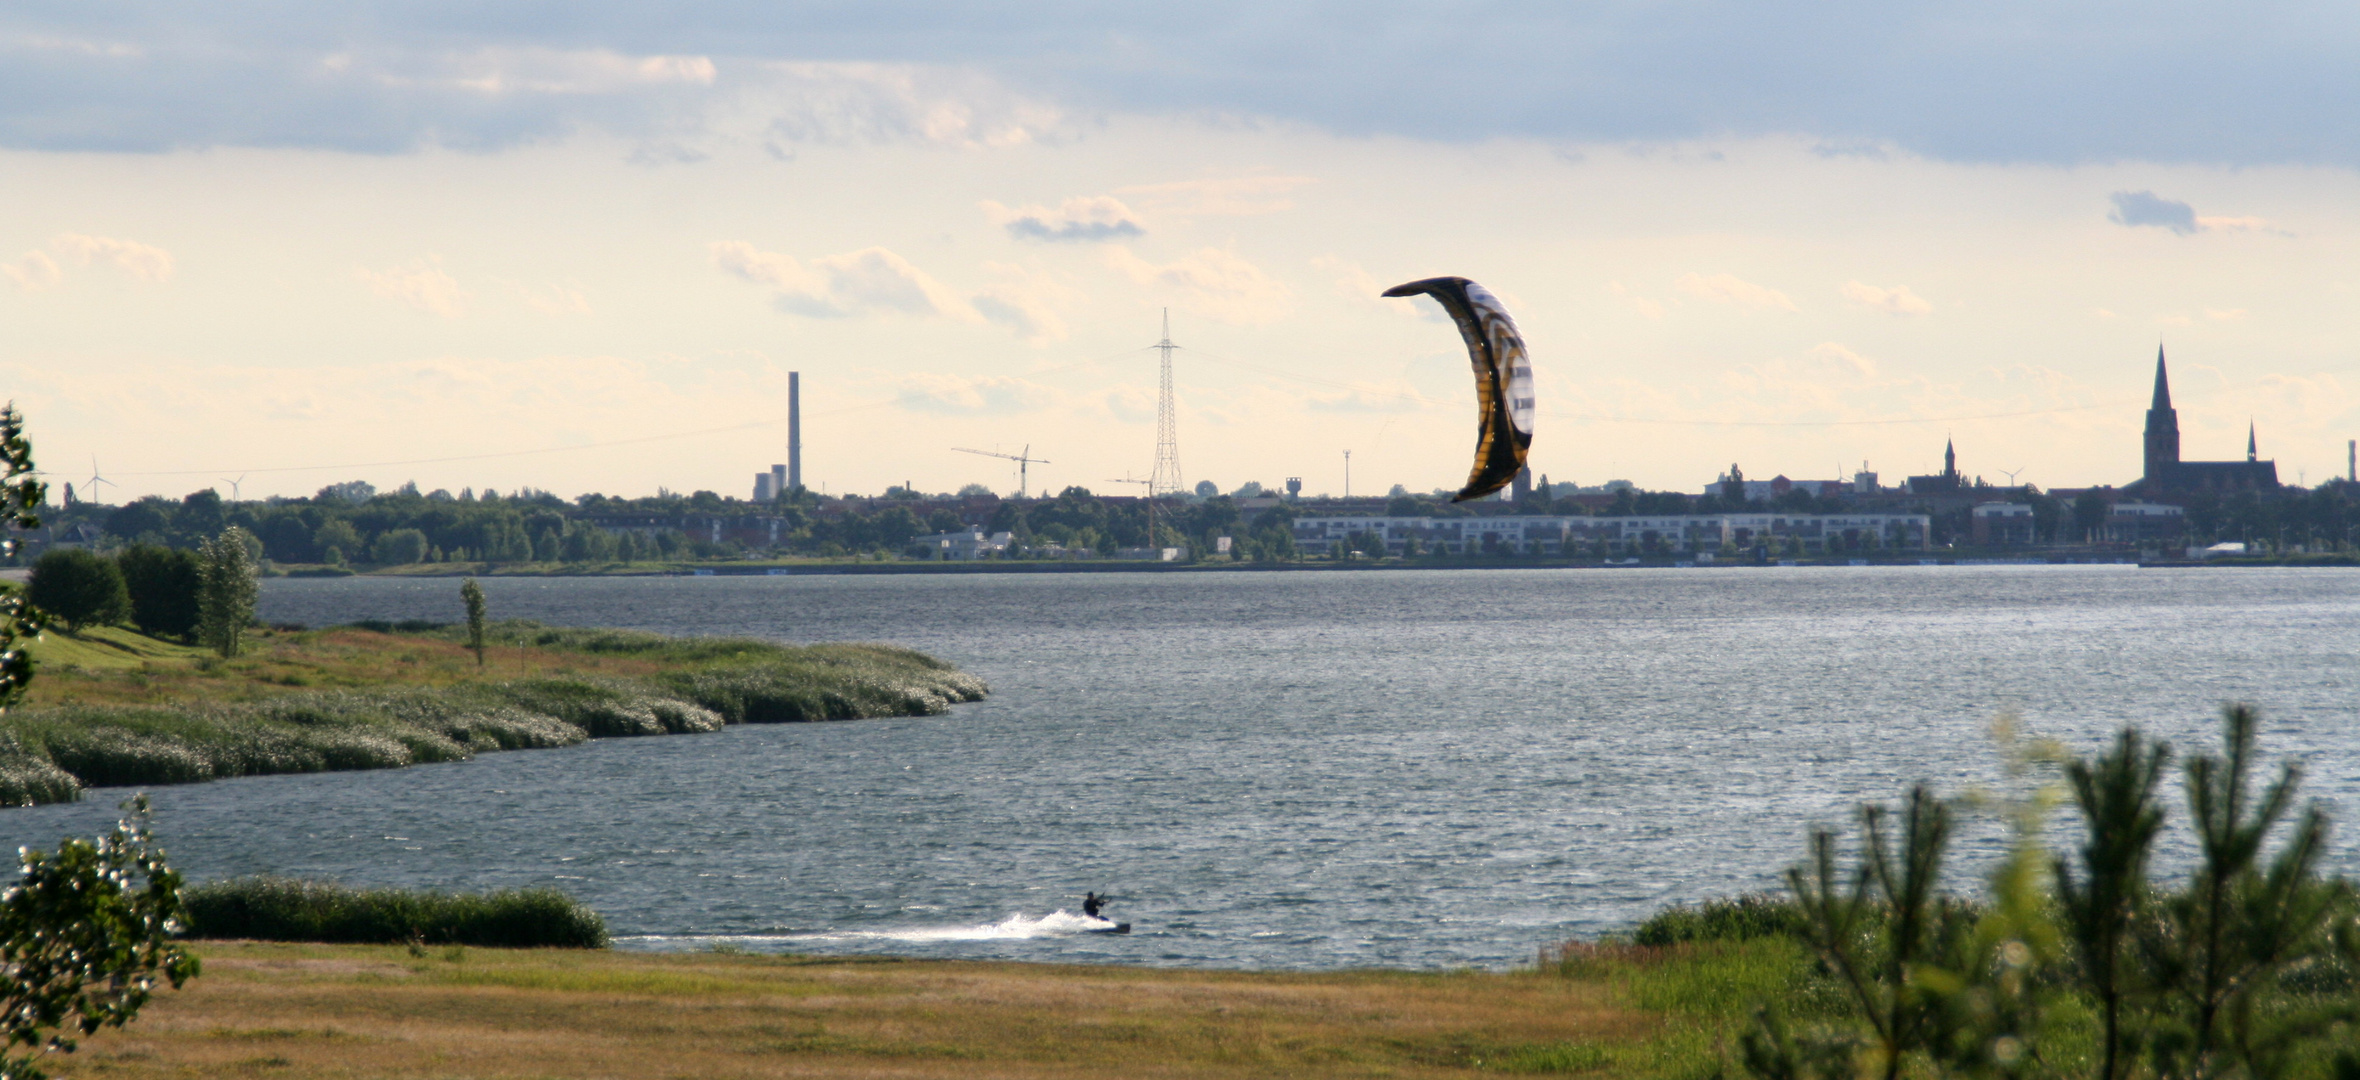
[{"x": 360, "y": 525}]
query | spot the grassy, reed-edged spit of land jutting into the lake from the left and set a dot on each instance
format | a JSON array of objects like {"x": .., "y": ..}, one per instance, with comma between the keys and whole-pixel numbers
[{"x": 117, "y": 709}]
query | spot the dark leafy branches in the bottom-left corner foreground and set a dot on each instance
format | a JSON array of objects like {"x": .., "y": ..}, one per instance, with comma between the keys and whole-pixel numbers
[{"x": 84, "y": 940}]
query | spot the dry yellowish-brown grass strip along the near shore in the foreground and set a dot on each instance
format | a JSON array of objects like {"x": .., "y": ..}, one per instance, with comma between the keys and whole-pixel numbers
[{"x": 428, "y": 1013}]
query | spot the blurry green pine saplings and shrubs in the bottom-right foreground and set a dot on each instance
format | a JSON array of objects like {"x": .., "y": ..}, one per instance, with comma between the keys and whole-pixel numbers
[{"x": 2083, "y": 963}]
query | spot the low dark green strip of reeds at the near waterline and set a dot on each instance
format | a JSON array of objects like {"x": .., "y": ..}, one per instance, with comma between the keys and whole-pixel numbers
[{"x": 282, "y": 909}]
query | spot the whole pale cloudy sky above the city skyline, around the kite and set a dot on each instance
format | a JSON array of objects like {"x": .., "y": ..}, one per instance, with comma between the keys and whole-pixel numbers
[{"x": 263, "y": 249}]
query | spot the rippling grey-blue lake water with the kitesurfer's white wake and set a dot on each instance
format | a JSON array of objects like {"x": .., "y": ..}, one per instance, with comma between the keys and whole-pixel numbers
[{"x": 1290, "y": 770}]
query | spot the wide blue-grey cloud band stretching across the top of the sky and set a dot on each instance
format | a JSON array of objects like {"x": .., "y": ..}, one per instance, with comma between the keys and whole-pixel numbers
[{"x": 1851, "y": 74}]
